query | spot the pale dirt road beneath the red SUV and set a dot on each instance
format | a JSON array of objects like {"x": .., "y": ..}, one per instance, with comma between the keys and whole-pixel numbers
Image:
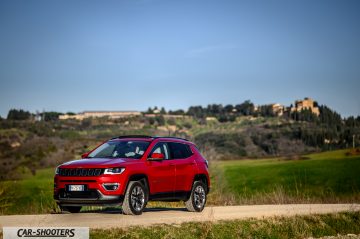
[{"x": 171, "y": 216}]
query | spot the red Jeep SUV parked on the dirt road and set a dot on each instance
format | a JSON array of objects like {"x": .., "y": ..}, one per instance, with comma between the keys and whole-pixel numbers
[{"x": 131, "y": 170}]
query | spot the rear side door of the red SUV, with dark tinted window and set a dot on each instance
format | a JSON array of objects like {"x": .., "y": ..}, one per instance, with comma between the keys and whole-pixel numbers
[{"x": 185, "y": 166}]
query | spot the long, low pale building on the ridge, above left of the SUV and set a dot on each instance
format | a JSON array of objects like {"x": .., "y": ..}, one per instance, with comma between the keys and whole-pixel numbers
[{"x": 98, "y": 114}]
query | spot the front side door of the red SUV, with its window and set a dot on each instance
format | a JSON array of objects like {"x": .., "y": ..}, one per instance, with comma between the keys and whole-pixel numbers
[{"x": 161, "y": 174}]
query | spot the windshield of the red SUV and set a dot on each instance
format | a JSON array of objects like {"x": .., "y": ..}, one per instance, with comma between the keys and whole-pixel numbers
[{"x": 120, "y": 149}]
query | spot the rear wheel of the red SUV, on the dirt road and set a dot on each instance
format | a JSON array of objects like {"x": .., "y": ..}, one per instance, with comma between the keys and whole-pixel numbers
[{"x": 197, "y": 199}]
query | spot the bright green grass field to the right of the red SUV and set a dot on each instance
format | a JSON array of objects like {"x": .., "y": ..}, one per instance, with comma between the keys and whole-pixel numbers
[{"x": 324, "y": 177}]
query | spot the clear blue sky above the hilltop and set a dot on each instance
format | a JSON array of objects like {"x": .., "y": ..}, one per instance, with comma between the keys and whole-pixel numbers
[{"x": 129, "y": 55}]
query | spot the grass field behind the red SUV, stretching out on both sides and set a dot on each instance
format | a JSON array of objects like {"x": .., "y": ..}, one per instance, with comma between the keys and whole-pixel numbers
[{"x": 324, "y": 177}]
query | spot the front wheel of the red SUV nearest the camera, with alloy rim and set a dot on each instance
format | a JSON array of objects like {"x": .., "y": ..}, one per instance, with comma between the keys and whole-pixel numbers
[{"x": 135, "y": 198}]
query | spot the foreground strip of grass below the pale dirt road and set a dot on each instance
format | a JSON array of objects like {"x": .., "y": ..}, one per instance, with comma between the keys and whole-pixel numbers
[{"x": 278, "y": 227}]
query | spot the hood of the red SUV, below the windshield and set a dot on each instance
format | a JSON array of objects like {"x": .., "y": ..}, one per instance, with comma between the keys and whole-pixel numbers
[{"x": 96, "y": 162}]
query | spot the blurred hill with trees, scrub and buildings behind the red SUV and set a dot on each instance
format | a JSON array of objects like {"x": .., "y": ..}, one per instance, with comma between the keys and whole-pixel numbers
[{"x": 221, "y": 132}]
